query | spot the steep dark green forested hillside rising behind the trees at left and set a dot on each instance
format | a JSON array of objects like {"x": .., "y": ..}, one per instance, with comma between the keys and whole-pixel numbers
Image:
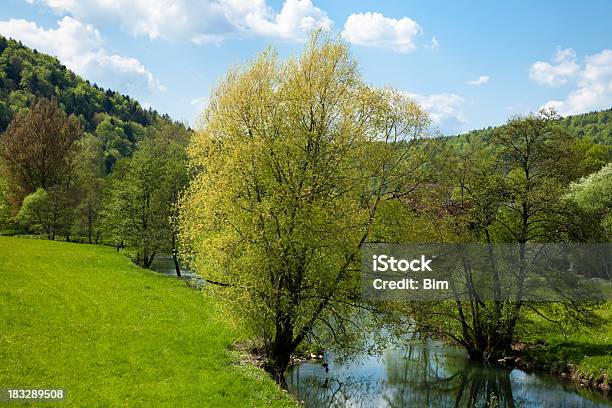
[{"x": 117, "y": 120}]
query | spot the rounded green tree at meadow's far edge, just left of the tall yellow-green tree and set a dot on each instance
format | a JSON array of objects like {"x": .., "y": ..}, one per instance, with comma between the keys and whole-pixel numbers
[{"x": 141, "y": 193}]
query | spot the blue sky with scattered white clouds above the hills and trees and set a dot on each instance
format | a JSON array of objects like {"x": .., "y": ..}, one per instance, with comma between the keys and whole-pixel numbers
[{"x": 469, "y": 63}]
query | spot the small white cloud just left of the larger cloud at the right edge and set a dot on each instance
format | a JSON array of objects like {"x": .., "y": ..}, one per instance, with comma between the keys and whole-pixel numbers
[{"x": 564, "y": 67}]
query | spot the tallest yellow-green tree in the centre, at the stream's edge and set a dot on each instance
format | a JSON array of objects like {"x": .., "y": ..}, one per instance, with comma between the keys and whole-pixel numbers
[{"x": 293, "y": 162}]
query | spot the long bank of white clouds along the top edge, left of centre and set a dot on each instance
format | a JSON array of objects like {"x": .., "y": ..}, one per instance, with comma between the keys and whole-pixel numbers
[{"x": 199, "y": 21}]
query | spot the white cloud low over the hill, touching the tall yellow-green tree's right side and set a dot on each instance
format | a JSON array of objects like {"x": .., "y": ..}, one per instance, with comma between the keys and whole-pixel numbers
[{"x": 444, "y": 110}]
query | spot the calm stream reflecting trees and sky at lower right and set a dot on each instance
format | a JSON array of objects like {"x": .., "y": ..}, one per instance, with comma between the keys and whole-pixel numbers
[{"x": 428, "y": 373}]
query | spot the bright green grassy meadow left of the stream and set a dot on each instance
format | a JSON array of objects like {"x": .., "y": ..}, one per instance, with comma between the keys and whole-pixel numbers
[{"x": 83, "y": 318}]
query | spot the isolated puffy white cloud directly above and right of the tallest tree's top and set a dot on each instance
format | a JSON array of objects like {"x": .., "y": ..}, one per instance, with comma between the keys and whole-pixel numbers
[{"x": 375, "y": 30}]
